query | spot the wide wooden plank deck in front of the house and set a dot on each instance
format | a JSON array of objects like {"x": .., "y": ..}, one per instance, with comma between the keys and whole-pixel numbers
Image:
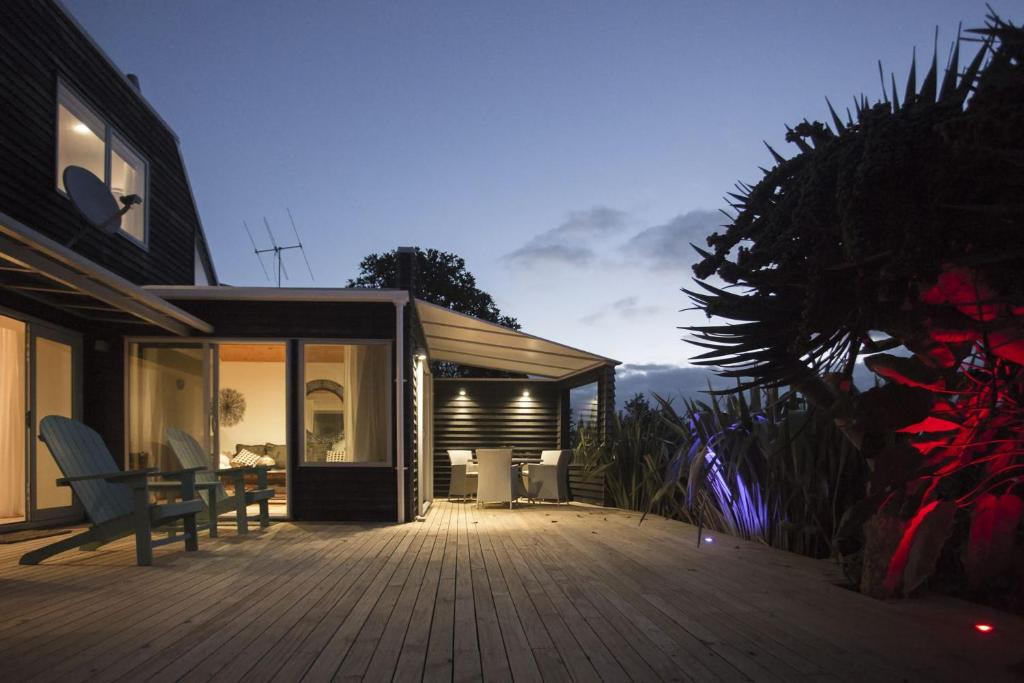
[{"x": 540, "y": 593}]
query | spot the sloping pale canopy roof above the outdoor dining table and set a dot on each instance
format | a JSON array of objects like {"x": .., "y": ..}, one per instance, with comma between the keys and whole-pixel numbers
[{"x": 471, "y": 341}]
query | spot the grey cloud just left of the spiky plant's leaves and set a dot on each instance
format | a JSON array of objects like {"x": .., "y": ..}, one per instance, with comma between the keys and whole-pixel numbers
[{"x": 668, "y": 246}]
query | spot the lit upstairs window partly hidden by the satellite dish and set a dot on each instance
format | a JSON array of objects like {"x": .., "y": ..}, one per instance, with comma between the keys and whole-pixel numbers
[{"x": 86, "y": 140}]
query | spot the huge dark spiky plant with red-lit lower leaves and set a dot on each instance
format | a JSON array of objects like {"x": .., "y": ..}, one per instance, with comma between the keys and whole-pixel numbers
[{"x": 900, "y": 227}]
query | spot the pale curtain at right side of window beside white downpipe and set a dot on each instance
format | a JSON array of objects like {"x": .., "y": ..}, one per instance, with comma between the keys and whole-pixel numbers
[{"x": 367, "y": 402}]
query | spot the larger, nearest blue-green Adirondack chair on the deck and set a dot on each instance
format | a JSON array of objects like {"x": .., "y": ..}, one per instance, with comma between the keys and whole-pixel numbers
[{"x": 117, "y": 503}]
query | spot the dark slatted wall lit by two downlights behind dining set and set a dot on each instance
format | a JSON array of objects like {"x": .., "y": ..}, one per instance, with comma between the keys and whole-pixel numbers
[{"x": 493, "y": 414}]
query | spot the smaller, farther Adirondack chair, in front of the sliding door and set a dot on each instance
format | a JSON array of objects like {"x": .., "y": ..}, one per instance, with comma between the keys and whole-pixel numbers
[{"x": 214, "y": 494}]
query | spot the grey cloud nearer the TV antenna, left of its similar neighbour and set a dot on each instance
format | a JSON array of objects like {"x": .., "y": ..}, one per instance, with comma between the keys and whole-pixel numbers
[{"x": 565, "y": 244}]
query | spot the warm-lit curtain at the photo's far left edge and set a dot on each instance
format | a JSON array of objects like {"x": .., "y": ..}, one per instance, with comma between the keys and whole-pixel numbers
[{"x": 13, "y": 454}]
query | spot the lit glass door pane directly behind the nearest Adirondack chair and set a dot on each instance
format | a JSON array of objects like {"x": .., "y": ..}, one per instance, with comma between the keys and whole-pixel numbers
[{"x": 54, "y": 393}]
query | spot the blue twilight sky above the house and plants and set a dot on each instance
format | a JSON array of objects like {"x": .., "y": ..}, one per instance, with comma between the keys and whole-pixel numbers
[{"x": 569, "y": 151}]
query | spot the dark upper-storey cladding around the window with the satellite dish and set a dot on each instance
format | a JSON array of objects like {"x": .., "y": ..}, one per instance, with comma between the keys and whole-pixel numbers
[{"x": 40, "y": 45}]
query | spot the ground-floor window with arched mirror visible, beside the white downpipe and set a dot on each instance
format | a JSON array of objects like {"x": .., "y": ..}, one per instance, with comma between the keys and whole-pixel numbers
[{"x": 348, "y": 412}]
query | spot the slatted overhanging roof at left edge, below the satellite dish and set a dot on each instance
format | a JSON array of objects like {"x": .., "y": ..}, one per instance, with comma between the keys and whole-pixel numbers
[{"x": 40, "y": 269}]
